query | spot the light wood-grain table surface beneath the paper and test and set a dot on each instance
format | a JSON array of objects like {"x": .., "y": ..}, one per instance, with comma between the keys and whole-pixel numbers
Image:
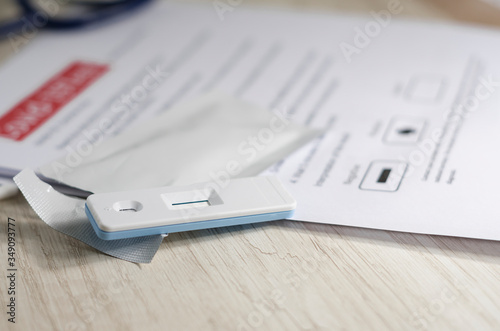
[{"x": 278, "y": 276}]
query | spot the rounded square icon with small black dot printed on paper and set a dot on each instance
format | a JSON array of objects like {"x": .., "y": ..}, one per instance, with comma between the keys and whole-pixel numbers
[{"x": 405, "y": 130}]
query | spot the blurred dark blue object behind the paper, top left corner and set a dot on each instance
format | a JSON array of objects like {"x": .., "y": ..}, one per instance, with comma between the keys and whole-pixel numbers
[{"x": 96, "y": 11}]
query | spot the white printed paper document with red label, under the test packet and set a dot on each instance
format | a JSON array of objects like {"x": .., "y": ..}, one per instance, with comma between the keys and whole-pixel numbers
[{"x": 411, "y": 109}]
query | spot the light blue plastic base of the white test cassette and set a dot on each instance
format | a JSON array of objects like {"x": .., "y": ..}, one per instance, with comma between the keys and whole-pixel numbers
[{"x": 186, "y": 226}]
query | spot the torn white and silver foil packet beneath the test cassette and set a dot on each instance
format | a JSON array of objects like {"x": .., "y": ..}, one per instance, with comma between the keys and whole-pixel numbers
[{"x": 213, "y": 138}]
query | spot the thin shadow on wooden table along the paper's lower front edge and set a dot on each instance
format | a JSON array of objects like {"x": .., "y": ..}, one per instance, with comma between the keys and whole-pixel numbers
[{"x": 476, "y": 249}]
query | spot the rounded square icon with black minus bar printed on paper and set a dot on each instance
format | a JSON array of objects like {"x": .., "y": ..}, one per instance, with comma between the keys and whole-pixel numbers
[{"x": 384, "y": 176}]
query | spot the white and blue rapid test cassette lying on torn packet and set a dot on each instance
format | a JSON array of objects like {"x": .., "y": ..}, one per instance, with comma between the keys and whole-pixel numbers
[{"x": 171, "y": 209}]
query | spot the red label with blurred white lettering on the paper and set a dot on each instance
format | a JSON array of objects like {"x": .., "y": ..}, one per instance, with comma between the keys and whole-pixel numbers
[{"x": 48, "y": 99}]
